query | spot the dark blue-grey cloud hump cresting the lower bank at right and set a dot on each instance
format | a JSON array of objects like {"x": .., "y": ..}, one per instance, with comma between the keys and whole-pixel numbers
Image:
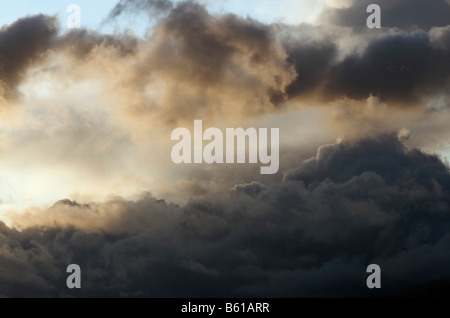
[{"x": 331, "y": 159}]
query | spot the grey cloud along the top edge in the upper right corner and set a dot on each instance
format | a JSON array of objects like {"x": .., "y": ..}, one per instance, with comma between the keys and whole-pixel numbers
[{"x": 423, "y": 14}]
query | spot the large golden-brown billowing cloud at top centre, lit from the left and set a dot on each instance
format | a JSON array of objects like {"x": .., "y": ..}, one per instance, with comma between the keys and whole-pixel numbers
[{"x": 216, "y": 65}]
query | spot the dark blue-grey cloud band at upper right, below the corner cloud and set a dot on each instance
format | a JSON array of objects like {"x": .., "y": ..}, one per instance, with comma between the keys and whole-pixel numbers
[{"x": 401, "y": 67}]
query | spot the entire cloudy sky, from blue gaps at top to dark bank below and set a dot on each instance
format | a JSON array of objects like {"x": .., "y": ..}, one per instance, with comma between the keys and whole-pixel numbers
[{"x": 87, "y": 177}]
